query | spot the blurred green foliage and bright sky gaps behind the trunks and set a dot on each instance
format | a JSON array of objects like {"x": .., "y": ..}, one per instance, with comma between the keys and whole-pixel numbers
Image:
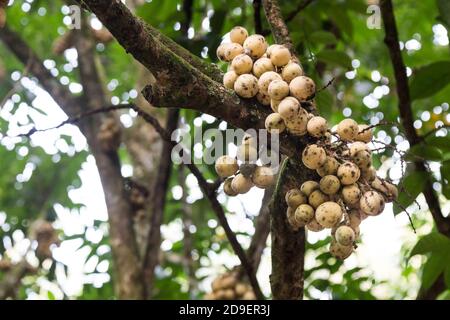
[{"x": 333, "y": 41}]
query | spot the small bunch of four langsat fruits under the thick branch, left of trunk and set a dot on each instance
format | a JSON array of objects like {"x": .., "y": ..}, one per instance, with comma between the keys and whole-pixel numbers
[{"x": 241, "y": 172}]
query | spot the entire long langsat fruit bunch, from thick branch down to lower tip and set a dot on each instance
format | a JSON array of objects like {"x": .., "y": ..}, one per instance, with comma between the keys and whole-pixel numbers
[{"x": 349, "y": 189}]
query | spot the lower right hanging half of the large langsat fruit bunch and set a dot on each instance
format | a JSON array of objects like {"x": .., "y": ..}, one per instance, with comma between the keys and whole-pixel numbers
[{"x": 349, "y": 190}]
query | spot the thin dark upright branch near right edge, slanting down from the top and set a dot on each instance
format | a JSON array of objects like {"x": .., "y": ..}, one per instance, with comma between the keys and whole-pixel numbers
[{"x": 405, "y": 109}]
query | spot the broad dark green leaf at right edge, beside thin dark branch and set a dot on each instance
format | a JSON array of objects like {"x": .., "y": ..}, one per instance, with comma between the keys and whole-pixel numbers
[{"x": 430, "y": 79}]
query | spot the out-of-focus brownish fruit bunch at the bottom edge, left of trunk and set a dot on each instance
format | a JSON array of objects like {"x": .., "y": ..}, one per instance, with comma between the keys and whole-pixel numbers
[{"x": 228, "y": 287}]
